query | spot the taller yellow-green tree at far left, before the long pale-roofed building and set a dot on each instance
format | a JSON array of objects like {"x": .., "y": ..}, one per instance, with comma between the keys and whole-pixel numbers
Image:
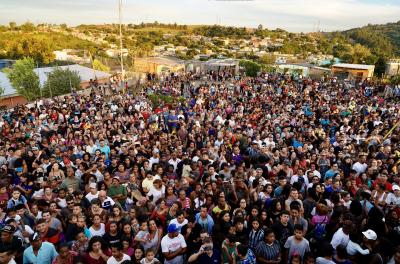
[{"x": 24, "y": 79}]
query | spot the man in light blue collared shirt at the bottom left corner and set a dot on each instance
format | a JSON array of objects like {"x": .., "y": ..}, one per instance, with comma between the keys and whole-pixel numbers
[{"x": 39, "y": 252}]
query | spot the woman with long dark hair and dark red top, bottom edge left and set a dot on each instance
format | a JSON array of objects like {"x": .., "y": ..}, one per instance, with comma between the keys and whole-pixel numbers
[{"x": 97, "y": 252}]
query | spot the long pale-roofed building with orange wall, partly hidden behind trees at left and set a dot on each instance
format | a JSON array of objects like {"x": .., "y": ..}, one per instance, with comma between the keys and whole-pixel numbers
[{"x": 11, "y": 97}]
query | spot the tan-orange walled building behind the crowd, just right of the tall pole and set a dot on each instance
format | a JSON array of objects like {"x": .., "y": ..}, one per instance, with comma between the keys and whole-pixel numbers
[{"x": 158, "y": 65}]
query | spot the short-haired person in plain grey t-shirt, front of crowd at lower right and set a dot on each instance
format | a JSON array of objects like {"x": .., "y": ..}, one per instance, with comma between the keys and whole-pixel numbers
[{"x": 296, "y": 244}]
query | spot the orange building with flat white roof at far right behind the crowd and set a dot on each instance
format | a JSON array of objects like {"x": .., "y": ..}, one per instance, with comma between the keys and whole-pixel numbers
[{"x": 358, "y": 72}]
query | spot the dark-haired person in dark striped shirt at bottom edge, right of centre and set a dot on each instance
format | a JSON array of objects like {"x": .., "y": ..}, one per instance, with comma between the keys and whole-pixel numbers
[{"x": 268, "y": 251}]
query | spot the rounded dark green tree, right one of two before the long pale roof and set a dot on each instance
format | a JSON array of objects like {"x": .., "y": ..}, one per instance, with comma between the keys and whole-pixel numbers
[{"x": 61, "y": 82}]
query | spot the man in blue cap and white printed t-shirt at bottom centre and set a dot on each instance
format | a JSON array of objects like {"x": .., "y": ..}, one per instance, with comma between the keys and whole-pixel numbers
[{"x": 173, "y": 246}]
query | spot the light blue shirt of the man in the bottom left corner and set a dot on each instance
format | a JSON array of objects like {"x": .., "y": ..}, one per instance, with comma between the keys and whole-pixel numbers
[{"x": 46, "y": 254}]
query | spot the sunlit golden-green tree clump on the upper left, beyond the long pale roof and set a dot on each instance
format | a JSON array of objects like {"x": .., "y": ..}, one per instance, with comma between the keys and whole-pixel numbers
[{"x": 38, "y": 49}]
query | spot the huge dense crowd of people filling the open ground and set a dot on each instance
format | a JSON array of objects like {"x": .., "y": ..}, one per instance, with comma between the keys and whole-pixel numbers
[{"x": 243, "y": 170}]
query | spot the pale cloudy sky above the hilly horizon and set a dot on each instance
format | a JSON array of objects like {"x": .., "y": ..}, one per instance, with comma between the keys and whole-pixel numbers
[{"x": 291, "y": 15}]
